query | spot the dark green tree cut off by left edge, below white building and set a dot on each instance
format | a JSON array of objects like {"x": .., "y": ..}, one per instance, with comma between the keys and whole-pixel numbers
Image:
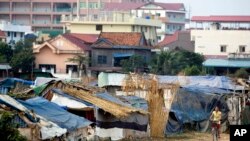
[{"x": 6, "y": 53}]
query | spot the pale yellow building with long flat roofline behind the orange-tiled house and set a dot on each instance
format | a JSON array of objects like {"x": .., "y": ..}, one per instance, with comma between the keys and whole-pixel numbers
[{"x": 113, "y": 22}]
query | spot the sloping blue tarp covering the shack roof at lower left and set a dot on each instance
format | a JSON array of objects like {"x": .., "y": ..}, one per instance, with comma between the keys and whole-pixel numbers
[{"x": 56, "y": 114}]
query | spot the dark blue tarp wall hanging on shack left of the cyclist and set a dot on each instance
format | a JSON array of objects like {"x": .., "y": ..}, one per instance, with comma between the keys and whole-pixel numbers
[{"x": 194, "y": 105}]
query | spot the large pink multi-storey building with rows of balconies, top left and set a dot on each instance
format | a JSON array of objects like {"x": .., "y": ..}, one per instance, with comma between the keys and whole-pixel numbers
[{"x": 46, "y": 14}]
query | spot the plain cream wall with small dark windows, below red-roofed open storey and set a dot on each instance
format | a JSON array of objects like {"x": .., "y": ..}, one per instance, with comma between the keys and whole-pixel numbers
[{"x": 208, "y": 42}]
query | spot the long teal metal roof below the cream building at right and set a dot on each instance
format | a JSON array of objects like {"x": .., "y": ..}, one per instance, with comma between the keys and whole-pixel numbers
[{"x": 227, "y": 63}]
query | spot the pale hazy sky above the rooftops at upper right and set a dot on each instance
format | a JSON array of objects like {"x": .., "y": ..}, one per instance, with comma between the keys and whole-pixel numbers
[{"x": 214, "y": 7}]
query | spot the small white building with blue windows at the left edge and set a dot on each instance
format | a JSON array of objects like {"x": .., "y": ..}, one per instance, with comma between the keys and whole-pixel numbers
[{"x": 14, "y": 32}]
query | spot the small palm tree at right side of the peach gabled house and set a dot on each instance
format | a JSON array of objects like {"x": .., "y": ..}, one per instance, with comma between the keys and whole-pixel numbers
[{"x": 82, "y": 63}]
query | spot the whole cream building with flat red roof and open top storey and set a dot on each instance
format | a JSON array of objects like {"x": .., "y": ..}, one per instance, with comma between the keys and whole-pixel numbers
[{"x": 221, "y": 36}]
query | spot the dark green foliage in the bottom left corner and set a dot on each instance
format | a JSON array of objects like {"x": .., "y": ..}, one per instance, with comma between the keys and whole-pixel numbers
[{"x": 8, "y": 130}]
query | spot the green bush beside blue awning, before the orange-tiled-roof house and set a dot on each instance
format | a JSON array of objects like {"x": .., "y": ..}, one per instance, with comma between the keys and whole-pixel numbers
[{"x": 132, "y": 64}]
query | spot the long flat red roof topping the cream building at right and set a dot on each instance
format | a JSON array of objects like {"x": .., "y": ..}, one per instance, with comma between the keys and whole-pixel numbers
[{"x": 221, "y": 18}]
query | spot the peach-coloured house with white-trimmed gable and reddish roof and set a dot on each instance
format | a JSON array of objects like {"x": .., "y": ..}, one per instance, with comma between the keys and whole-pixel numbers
[{"x": 53, "y": 55}]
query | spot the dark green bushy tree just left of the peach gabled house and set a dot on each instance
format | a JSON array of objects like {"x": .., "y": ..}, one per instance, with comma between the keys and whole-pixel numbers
[{"x": 23, "y": 57}]
